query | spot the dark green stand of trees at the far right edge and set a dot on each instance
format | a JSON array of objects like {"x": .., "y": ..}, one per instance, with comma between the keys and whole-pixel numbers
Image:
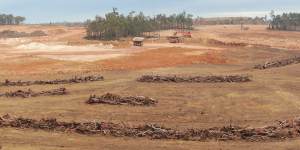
[{"x": 286, "y": 21}]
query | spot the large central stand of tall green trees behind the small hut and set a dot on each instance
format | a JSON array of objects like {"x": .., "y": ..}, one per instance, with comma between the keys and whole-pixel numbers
[{"x": 115, "y": 25}]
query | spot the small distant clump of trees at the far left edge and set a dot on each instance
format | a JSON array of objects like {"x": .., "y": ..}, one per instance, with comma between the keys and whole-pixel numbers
[{"x": 11, "y": 19}]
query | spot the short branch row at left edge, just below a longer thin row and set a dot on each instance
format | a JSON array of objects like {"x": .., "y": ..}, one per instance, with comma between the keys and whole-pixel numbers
[{"x": 30, "y": 93}]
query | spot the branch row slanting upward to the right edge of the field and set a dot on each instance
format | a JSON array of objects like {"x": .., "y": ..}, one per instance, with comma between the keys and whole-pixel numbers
[{"x": 278, "y": 63}]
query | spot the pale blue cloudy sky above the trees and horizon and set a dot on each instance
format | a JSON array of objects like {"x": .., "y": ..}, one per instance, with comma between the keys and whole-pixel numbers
[{"x": 37, "y": 11}]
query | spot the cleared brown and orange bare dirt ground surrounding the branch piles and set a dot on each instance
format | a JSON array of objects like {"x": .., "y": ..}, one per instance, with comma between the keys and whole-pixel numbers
[{"x": 272, "y": 95}]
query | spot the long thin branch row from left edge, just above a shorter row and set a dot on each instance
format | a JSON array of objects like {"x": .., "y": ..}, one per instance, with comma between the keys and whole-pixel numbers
[{"x": 57, "y": 81}]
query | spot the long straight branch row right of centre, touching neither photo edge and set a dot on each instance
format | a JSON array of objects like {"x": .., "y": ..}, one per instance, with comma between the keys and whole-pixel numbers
[{"x": 196, "y": 79}]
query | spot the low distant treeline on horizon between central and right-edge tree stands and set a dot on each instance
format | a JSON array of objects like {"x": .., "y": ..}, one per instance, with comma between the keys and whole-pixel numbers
[{"x": 230, "y": 20}]
